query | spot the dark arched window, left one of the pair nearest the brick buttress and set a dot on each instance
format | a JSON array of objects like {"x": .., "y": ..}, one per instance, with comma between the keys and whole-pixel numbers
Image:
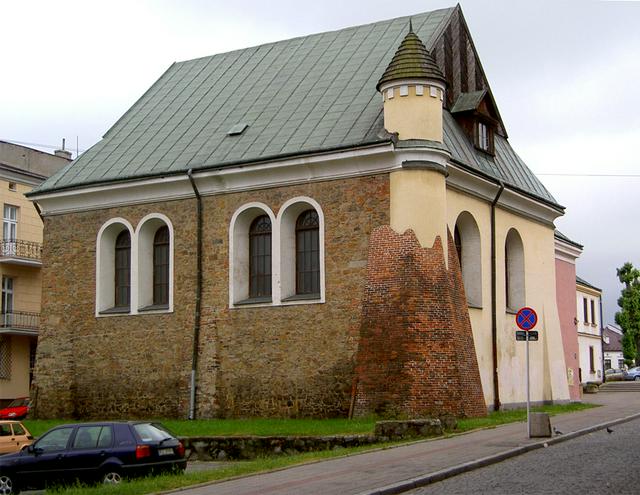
[{"x": 260, "y": 257}]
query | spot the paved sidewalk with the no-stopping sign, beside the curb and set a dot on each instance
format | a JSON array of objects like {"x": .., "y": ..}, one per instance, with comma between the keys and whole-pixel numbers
[{"x": 402, "y": 468}]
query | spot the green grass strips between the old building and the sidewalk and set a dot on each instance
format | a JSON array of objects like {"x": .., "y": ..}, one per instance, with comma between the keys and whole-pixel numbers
[{"x": 274, "y": 427}]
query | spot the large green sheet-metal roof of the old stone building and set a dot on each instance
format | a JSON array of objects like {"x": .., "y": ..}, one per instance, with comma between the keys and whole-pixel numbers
[{"x": 299, "y": 96}]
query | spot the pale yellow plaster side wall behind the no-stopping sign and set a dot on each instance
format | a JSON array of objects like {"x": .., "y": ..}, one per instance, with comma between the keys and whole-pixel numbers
[{"x": 548, "y": 378}]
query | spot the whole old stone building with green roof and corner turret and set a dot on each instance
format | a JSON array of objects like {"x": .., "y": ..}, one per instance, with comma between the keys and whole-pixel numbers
[{"x": 323, "y": 226}]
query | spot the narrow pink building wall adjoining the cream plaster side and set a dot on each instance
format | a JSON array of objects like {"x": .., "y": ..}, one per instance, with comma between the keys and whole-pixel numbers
[{"x": 567, "y": 251}]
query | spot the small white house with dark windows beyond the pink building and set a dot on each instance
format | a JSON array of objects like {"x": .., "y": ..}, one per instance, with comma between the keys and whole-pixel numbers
[{"x": 588, "y": 304}]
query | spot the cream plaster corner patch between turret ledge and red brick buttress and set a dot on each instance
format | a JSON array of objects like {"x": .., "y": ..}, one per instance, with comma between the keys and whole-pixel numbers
[{"x": 418, "y": 202}]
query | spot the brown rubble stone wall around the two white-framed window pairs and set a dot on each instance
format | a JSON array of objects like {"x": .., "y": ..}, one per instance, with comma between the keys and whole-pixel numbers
[{"x": 262, "y": 361}]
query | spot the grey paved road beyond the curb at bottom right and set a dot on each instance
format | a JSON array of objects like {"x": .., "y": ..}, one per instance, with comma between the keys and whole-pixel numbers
[{"x": 599, "y": 463}]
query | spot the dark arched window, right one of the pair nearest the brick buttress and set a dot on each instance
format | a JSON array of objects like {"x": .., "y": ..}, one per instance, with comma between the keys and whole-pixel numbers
[{"x": 307, "y": 253}]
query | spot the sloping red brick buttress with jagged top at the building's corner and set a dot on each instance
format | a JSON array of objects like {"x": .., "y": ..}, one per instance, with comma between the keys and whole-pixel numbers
[{"x": 416, "y": 356}]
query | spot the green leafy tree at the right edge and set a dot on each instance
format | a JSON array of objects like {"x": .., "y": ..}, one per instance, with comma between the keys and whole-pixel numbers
[{"x": 629, "y": 315}]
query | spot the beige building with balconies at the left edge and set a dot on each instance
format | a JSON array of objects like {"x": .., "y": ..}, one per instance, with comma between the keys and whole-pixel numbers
[{"x": 21, "y": 169}]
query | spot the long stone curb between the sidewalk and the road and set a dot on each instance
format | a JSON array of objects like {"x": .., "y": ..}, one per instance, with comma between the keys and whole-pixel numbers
[{"x": 420, "y": 481}]
